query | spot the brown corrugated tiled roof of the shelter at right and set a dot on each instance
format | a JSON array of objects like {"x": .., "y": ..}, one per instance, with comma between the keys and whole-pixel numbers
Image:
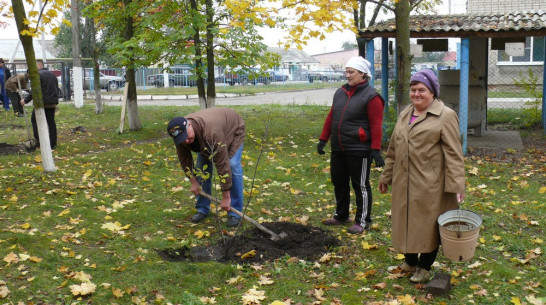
[{"x": 514, "y": 24}]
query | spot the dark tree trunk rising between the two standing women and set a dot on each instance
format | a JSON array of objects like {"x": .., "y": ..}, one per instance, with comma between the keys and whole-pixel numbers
[{"x": 403, "y": 56}]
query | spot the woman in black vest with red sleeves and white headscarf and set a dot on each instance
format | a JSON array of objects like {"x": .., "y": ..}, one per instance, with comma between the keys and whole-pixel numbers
[{"x": 354, "y": 126}]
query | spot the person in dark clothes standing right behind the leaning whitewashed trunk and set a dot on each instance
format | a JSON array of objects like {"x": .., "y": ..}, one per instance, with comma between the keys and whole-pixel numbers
[{"x": 49, "y": 87}]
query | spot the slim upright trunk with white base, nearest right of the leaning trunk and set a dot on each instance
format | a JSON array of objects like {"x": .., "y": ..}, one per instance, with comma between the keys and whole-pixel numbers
[{"x": 77, "y": 73}]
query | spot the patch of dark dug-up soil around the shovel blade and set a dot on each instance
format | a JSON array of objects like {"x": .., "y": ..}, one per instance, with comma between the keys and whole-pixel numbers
[{"x": 303, "y": 242}]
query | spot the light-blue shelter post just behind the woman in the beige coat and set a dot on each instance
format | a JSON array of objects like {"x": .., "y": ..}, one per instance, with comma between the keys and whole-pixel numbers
[{"x": 463, "y": 92}]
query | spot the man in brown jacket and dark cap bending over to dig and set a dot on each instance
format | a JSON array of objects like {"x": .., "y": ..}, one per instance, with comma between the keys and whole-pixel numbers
[{"x": 217, "y": 136}]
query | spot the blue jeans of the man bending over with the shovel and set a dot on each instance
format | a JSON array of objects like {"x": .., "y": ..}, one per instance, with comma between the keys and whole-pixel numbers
[{"x": 236, "y": 192}]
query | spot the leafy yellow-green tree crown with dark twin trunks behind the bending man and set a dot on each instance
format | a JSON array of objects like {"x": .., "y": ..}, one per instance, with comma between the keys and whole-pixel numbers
[{"x": 197, "y": 32}]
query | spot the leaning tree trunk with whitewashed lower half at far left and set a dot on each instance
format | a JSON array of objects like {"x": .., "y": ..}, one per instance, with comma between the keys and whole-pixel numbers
[{"x": 43, "y": 132}]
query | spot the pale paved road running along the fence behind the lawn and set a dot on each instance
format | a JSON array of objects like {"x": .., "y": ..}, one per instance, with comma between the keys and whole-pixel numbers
[{"x": 306, "y": 97}]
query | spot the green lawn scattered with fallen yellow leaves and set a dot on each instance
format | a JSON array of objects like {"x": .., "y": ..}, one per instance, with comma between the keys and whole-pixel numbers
[{"x": 135, "y": 179}]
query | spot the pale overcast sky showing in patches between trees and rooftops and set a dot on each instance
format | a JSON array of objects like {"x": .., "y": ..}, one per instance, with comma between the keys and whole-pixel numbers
[{"x": 332, "y": 43}]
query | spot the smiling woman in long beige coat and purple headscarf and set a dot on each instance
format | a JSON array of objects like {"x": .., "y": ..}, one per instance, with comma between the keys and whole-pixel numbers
[{"x": 425, "y": 167}]
